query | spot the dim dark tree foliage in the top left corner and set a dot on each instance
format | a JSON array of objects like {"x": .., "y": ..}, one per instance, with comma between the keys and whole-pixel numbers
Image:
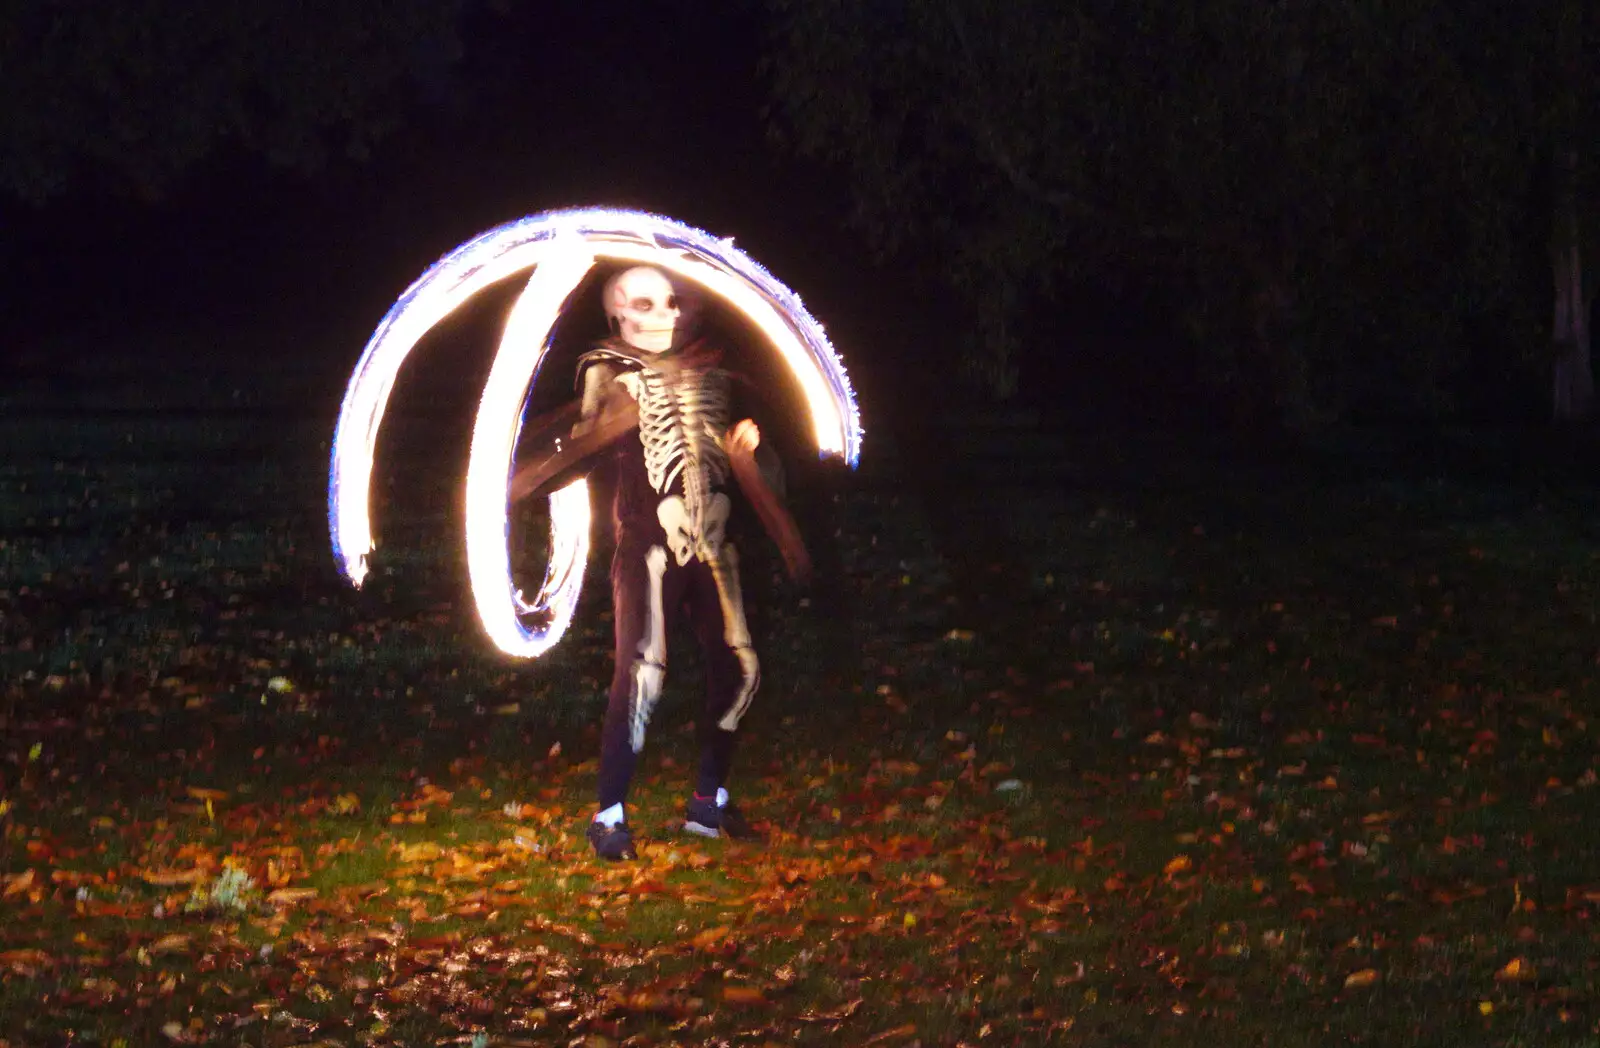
[{"x": 137, "y": 92}]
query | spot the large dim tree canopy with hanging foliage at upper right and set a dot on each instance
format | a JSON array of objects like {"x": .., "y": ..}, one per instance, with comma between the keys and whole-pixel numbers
[{"x": 1338, "y": 191}]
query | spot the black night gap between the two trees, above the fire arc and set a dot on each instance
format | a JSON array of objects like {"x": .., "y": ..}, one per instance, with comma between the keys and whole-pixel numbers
[{"x": 551, "y": 106}]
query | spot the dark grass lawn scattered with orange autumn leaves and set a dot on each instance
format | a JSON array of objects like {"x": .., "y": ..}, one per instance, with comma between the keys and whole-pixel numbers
[{"x": 1167, "y": 764}]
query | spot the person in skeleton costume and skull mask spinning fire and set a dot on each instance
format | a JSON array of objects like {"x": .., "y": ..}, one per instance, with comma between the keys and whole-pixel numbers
[{"x": 671, "y": 513}]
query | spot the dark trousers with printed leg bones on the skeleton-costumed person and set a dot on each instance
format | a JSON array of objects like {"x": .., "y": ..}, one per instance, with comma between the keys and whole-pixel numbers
[{"x": 686, "y": 590}]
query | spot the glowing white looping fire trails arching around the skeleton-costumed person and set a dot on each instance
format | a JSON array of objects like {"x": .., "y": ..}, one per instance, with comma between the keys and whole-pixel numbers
[{"x": 562, "y": 246}]
